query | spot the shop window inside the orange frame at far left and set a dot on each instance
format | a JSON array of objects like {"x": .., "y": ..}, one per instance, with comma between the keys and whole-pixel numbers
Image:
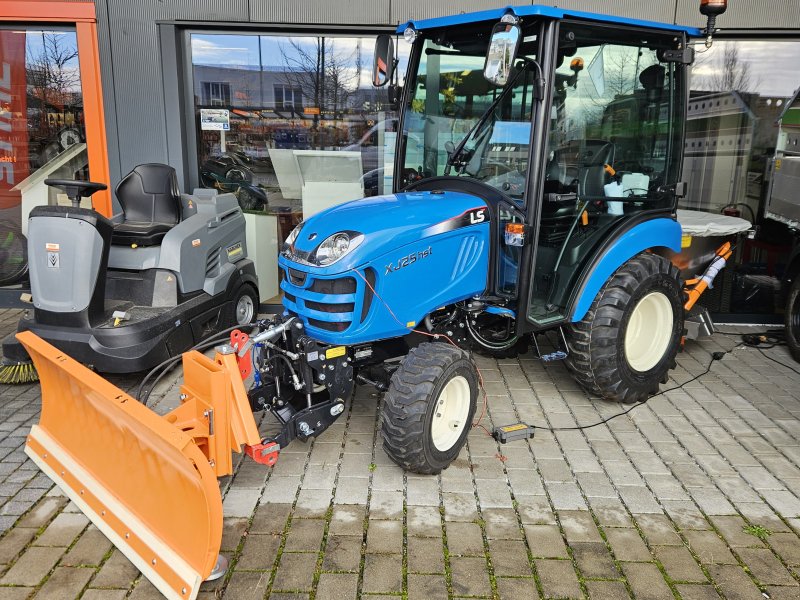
[{"x": 42, "y": 131}]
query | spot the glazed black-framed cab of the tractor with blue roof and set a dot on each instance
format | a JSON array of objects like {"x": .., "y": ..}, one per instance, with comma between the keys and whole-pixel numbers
[{"x": 569, "y": 129}]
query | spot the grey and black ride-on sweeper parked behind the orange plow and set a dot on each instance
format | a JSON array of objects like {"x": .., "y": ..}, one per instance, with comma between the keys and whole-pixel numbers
[{"x": 125, "y": 294}]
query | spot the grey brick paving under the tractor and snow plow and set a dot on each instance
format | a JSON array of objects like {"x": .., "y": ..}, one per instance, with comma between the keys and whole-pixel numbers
[{"x": 695, "y": 495}]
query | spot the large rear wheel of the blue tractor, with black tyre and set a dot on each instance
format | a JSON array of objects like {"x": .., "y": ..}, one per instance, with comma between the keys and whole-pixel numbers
[{"x": 626, "y": 344}]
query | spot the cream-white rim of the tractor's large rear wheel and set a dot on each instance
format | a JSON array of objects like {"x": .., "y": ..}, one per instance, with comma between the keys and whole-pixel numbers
[{"x": 649, "y": 332}]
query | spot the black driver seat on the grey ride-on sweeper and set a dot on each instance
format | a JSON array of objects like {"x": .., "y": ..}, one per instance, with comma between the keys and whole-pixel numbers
[{"x": 151, "y": 205}]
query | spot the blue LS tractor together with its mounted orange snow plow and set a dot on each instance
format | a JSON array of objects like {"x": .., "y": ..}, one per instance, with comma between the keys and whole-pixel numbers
[{"x": 542, "y": 200}]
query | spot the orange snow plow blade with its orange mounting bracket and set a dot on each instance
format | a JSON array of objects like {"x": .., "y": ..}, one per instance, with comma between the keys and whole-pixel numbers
[{"x": 148, "y": 482}]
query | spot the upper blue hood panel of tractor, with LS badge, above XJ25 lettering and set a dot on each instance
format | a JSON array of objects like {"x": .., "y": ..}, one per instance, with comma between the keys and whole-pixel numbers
[{"x": 387, "y": 223}]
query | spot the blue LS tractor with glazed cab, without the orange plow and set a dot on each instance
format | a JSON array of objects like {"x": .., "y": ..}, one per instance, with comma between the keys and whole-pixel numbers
[{"x": 541, "y": 199}]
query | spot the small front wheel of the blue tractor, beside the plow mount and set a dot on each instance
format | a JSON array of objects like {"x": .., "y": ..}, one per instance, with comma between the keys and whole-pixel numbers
[{"x": 428, "y": 410}]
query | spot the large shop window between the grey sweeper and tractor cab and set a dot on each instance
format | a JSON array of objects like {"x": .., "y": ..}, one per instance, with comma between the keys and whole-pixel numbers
[{"x": 286, "y": 95}]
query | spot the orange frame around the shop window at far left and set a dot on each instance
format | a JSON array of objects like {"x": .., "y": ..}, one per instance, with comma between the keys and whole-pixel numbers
[{"x": 82, "y": 16}]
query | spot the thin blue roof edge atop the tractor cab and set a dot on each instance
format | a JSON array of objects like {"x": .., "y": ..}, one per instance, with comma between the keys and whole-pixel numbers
[{"x": 537, "y": 10}]
